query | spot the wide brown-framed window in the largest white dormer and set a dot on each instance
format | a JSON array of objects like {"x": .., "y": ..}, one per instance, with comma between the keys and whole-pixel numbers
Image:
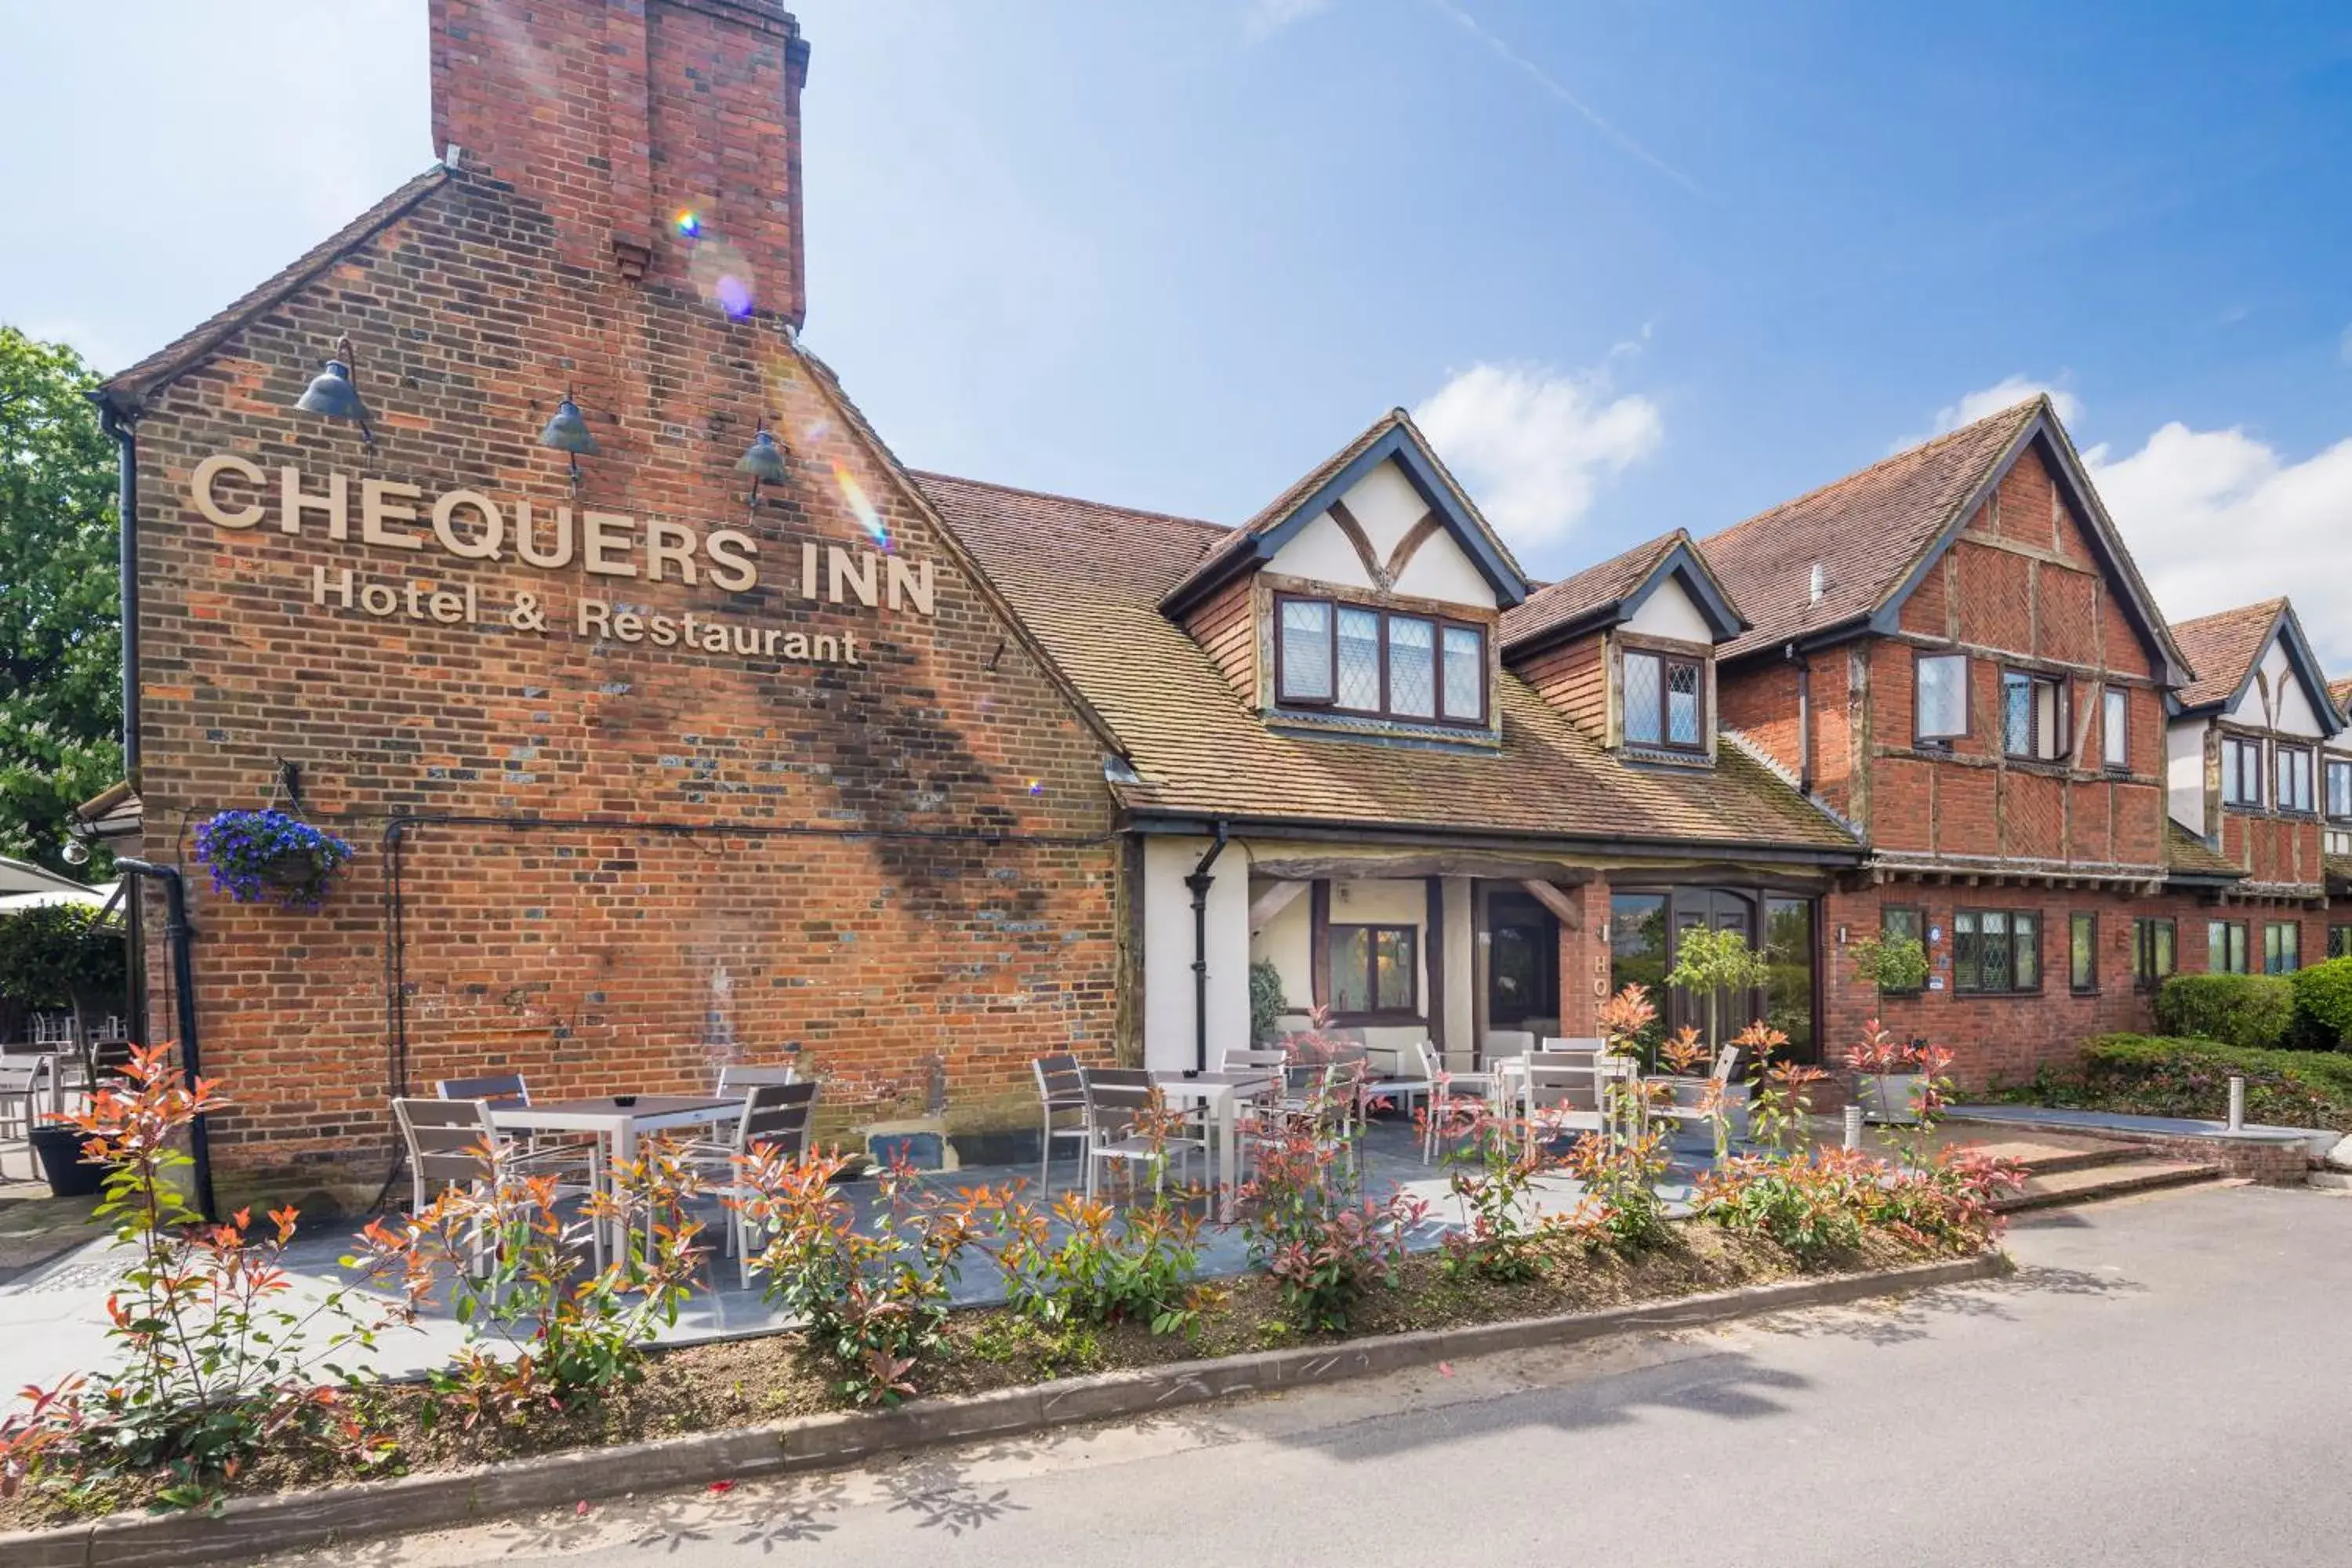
[{"x": 1384, "y": 664}]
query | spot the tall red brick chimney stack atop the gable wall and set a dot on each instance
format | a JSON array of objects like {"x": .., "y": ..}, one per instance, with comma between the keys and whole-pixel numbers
[{"x": 622, "y": 114}]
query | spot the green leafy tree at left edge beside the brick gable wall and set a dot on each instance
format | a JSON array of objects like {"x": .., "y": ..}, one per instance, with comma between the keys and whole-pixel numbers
[{"x": 60, "y": 605}]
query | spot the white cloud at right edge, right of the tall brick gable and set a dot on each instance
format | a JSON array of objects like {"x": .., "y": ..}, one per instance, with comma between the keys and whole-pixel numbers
[{"x": 2219, "y": 518}]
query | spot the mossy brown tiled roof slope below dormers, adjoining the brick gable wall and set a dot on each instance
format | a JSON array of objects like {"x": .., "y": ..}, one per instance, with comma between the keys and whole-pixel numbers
[{"x": 1088, "y": 579}]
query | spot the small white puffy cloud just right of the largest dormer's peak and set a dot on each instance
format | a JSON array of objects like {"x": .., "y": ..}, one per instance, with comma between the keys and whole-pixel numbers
[{"x": 1535, "y": 443}]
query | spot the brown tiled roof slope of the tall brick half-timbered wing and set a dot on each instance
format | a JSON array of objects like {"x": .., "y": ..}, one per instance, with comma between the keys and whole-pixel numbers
[{"x": 1866, "y": 532}]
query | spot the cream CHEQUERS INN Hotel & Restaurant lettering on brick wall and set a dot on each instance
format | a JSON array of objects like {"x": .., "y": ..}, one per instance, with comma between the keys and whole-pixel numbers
[{"x": 603, "y": 549}]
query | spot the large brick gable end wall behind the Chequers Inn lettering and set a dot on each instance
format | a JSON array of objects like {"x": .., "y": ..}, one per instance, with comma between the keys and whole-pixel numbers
[{"x": 890, "y": 864}]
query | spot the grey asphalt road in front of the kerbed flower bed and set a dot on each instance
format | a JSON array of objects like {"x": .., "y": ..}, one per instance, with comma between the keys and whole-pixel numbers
[{"x": 2167, "y": 1381}]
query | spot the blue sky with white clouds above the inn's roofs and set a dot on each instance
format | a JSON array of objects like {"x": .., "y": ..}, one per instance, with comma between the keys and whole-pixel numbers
[{"x": 1641, "y": 264}]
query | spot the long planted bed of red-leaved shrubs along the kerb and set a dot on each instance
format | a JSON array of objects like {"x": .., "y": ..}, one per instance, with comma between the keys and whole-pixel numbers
[{"x": 225, "y": 1383}]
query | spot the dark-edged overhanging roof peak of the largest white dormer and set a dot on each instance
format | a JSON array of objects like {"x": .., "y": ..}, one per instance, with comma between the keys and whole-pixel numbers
[{"x": 1394, "y": 438}]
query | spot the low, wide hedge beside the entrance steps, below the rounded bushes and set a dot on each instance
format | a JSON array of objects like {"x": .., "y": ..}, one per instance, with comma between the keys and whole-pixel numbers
[{"x": 2151, "y": 1076}]
